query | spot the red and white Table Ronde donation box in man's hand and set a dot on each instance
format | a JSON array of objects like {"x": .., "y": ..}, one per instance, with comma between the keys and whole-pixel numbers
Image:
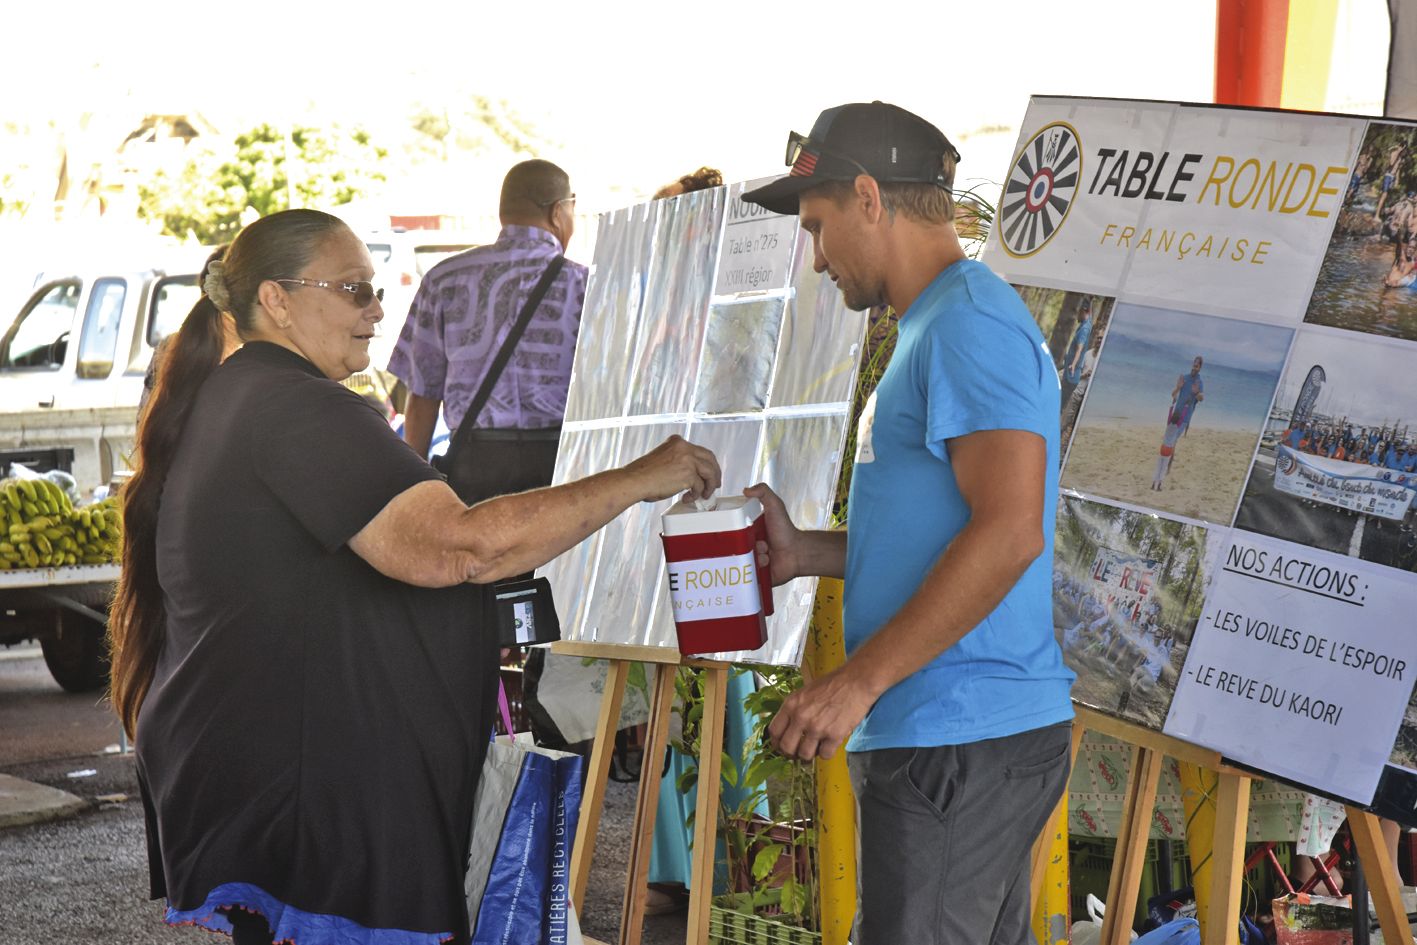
[{"x": 719, "y": 593}]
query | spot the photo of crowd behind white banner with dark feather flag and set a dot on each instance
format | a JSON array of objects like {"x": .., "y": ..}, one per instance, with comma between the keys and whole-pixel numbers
[{"x": 1347, "y": 410}]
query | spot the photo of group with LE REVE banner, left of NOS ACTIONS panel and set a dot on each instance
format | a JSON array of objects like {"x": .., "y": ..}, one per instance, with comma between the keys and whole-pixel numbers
[{"x": 1127, "y": 594}]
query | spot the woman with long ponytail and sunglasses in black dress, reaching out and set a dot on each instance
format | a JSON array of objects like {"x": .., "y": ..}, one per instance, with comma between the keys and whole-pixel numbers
[{"x": 301, "y": 645}]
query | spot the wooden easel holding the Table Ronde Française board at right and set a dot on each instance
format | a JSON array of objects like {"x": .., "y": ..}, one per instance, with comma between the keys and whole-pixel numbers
[{"x": 1228, "y": 852}]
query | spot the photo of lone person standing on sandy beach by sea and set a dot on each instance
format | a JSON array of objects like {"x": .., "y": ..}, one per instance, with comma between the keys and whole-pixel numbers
[{"x": 1174, "y": 412}]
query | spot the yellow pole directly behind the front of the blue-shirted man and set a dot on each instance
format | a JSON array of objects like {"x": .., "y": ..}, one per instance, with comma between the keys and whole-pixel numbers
[{"x": 835, "y": 801}]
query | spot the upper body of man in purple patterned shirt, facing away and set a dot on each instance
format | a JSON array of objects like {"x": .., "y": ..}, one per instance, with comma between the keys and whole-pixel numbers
[{"x": 468, "y": 304}]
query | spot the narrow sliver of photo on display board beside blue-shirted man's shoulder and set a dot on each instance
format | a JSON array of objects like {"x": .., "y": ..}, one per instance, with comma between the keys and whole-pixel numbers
[{"x": 1075, "y": 325}]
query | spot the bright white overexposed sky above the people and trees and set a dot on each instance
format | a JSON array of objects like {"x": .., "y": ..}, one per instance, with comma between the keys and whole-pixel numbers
[{"x": 634, "y": 93}]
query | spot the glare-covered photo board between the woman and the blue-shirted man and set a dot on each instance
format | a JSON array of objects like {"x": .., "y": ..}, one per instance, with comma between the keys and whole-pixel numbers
[{"x": 704, "y": 318}]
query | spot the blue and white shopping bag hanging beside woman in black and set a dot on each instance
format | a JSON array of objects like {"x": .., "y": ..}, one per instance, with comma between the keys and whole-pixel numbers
[{"x": 525, "y": 817}]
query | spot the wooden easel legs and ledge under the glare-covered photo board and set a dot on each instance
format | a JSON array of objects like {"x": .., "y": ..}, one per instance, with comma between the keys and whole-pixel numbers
[{"x": 647, "y": 805}]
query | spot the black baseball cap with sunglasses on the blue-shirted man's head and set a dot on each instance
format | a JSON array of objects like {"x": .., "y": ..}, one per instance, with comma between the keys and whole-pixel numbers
[{"x": 864, "y": 138}]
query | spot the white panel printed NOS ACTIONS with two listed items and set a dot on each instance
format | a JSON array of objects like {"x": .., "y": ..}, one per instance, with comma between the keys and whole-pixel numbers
[{"x": 1303, "y": 665}]
